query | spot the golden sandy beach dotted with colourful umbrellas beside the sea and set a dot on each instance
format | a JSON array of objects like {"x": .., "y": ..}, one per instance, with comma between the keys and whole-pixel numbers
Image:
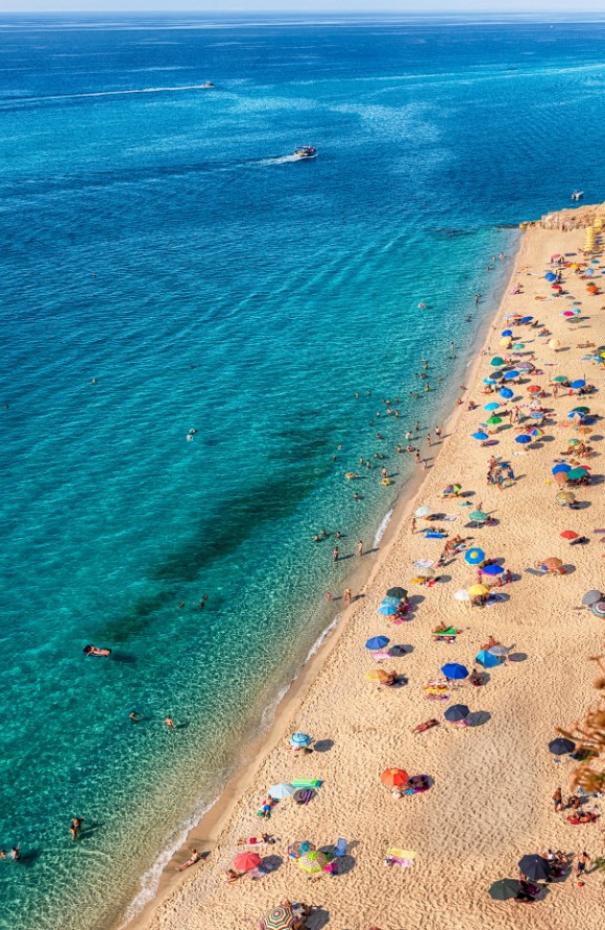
[{"x": 489, "y": 802}]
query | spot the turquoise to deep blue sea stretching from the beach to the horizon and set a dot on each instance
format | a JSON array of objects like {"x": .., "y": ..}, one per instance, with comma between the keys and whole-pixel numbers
[{"x": 155, "y": 237}]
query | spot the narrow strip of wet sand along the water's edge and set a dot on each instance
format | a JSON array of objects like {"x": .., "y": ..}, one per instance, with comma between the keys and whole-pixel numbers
[{"x": 207, "y": 831}]
